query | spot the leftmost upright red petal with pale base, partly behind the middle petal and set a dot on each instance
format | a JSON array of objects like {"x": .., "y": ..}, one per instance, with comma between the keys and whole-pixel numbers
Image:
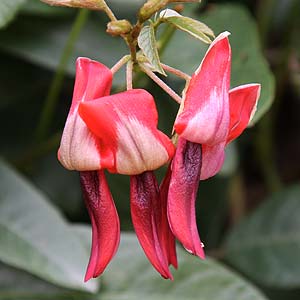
[{"x": 79, "y": 149}]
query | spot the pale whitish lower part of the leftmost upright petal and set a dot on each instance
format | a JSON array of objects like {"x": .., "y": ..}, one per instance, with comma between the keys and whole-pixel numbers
[{"x": 78, "y": 149}]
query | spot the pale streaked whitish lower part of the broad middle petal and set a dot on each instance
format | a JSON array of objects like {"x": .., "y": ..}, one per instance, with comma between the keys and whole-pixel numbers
[{"x": 138, "y": 149}]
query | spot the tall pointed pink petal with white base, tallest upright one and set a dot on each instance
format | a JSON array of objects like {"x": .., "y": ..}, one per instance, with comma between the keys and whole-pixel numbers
[{"x": 205, "y": 116}]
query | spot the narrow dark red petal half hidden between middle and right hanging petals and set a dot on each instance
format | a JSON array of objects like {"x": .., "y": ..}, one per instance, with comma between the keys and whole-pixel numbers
[{"x": 166, "y": 235}]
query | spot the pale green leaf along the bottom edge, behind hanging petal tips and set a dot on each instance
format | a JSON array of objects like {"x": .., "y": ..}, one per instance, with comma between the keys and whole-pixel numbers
[{"x": 130, "y": 276}]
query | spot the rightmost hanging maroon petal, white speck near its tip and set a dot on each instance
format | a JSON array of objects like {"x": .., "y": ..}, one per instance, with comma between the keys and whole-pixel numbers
[{"x": 186, "y": 167}]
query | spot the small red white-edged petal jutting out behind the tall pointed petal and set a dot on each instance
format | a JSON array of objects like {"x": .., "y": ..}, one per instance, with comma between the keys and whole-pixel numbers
[{"x": 243, "y": 102}]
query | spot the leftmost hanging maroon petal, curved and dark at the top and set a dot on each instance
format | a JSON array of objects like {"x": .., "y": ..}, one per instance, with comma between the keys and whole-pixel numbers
[{"x": 104, "y": 219}]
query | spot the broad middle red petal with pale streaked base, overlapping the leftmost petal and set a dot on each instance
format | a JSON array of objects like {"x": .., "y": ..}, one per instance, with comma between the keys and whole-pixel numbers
[{"x": 126, "y": 124}]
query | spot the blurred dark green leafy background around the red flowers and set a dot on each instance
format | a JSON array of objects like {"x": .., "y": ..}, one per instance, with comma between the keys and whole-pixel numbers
[{"x": 248, "y": 215}]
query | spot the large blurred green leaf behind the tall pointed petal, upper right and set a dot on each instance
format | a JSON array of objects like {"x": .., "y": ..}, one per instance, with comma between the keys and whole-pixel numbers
[{"x": 248, "y": 62}]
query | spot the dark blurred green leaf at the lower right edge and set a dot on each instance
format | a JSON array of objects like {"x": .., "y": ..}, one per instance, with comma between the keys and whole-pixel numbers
[{"x": 266, "y": 245}]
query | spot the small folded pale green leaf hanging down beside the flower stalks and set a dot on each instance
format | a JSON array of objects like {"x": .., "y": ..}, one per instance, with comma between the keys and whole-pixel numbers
[{"x": 147, "y": 43}]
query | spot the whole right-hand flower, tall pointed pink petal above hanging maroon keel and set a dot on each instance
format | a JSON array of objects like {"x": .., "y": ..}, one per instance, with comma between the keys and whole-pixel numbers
[{"x": 211, "y": 117}]
